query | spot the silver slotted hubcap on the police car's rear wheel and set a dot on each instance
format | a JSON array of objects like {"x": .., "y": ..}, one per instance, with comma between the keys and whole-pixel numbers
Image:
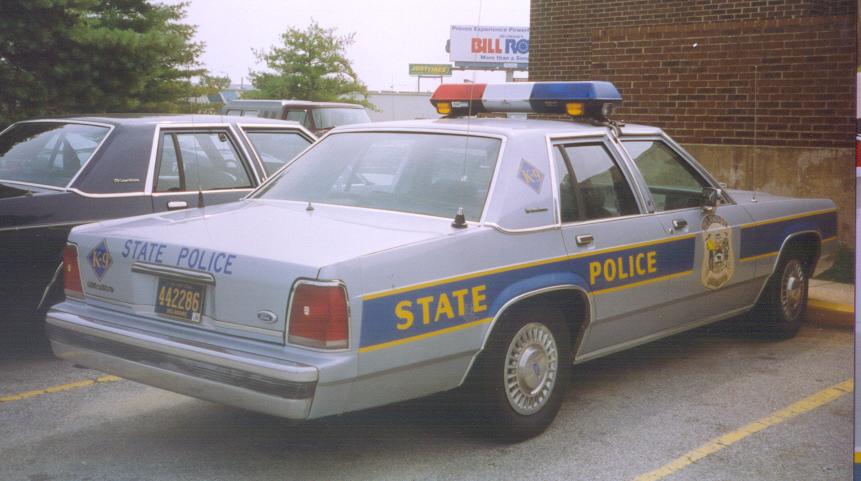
[{"x": 531, "y": 365}]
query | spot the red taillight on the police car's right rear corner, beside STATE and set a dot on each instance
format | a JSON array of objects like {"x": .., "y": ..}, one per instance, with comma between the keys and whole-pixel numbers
[{"x": 318, "y": 316}]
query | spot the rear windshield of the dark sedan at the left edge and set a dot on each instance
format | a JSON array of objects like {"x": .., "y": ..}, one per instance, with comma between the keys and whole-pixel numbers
[{"x": 47, "y": 153}]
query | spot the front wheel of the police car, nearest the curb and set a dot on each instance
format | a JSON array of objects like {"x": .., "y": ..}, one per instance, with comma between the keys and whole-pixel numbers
[{"x": 781, "y": 308}]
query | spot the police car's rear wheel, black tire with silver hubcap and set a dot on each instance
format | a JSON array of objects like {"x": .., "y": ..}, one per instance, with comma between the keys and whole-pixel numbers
[{"x": 521, "y": 378}]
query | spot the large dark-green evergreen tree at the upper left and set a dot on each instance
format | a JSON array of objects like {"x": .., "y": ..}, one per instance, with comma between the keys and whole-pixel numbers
[{"x": 74, "y": 56}]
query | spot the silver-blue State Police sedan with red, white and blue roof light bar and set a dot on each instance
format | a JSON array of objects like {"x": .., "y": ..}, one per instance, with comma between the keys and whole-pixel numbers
[{"x": 396, "y": 260}]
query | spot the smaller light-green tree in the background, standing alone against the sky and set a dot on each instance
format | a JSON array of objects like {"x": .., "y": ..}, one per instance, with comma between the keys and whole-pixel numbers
[{"x": 311, "y": 65}]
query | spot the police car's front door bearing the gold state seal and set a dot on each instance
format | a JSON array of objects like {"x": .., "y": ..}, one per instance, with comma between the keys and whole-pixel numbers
[{"x": 717, "y": 283}]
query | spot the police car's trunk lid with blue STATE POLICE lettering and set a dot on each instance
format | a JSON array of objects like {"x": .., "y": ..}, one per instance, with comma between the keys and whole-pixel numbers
[{"x": 241, "y": 259}]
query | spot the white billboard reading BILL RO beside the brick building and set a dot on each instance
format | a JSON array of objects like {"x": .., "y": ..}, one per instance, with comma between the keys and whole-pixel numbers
[{"x": 495, "y": 47}]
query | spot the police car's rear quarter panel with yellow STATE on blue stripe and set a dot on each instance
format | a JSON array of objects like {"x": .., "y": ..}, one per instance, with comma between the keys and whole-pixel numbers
[{"x": 425, "y": 309}]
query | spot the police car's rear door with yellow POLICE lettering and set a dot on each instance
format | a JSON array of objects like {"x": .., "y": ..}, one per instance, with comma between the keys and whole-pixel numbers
[{"x": 624, "y": 256}]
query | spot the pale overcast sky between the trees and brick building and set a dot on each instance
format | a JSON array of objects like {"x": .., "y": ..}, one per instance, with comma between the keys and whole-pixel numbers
[{"x": 390, "y": 34}]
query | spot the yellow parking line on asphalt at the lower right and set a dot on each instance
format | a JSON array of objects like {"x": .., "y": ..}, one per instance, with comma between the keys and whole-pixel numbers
[{"x": 795, "y": 409}]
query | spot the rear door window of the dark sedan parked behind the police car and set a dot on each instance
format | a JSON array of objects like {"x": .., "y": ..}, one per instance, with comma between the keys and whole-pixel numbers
[{"x": 200, "y": 161}]
